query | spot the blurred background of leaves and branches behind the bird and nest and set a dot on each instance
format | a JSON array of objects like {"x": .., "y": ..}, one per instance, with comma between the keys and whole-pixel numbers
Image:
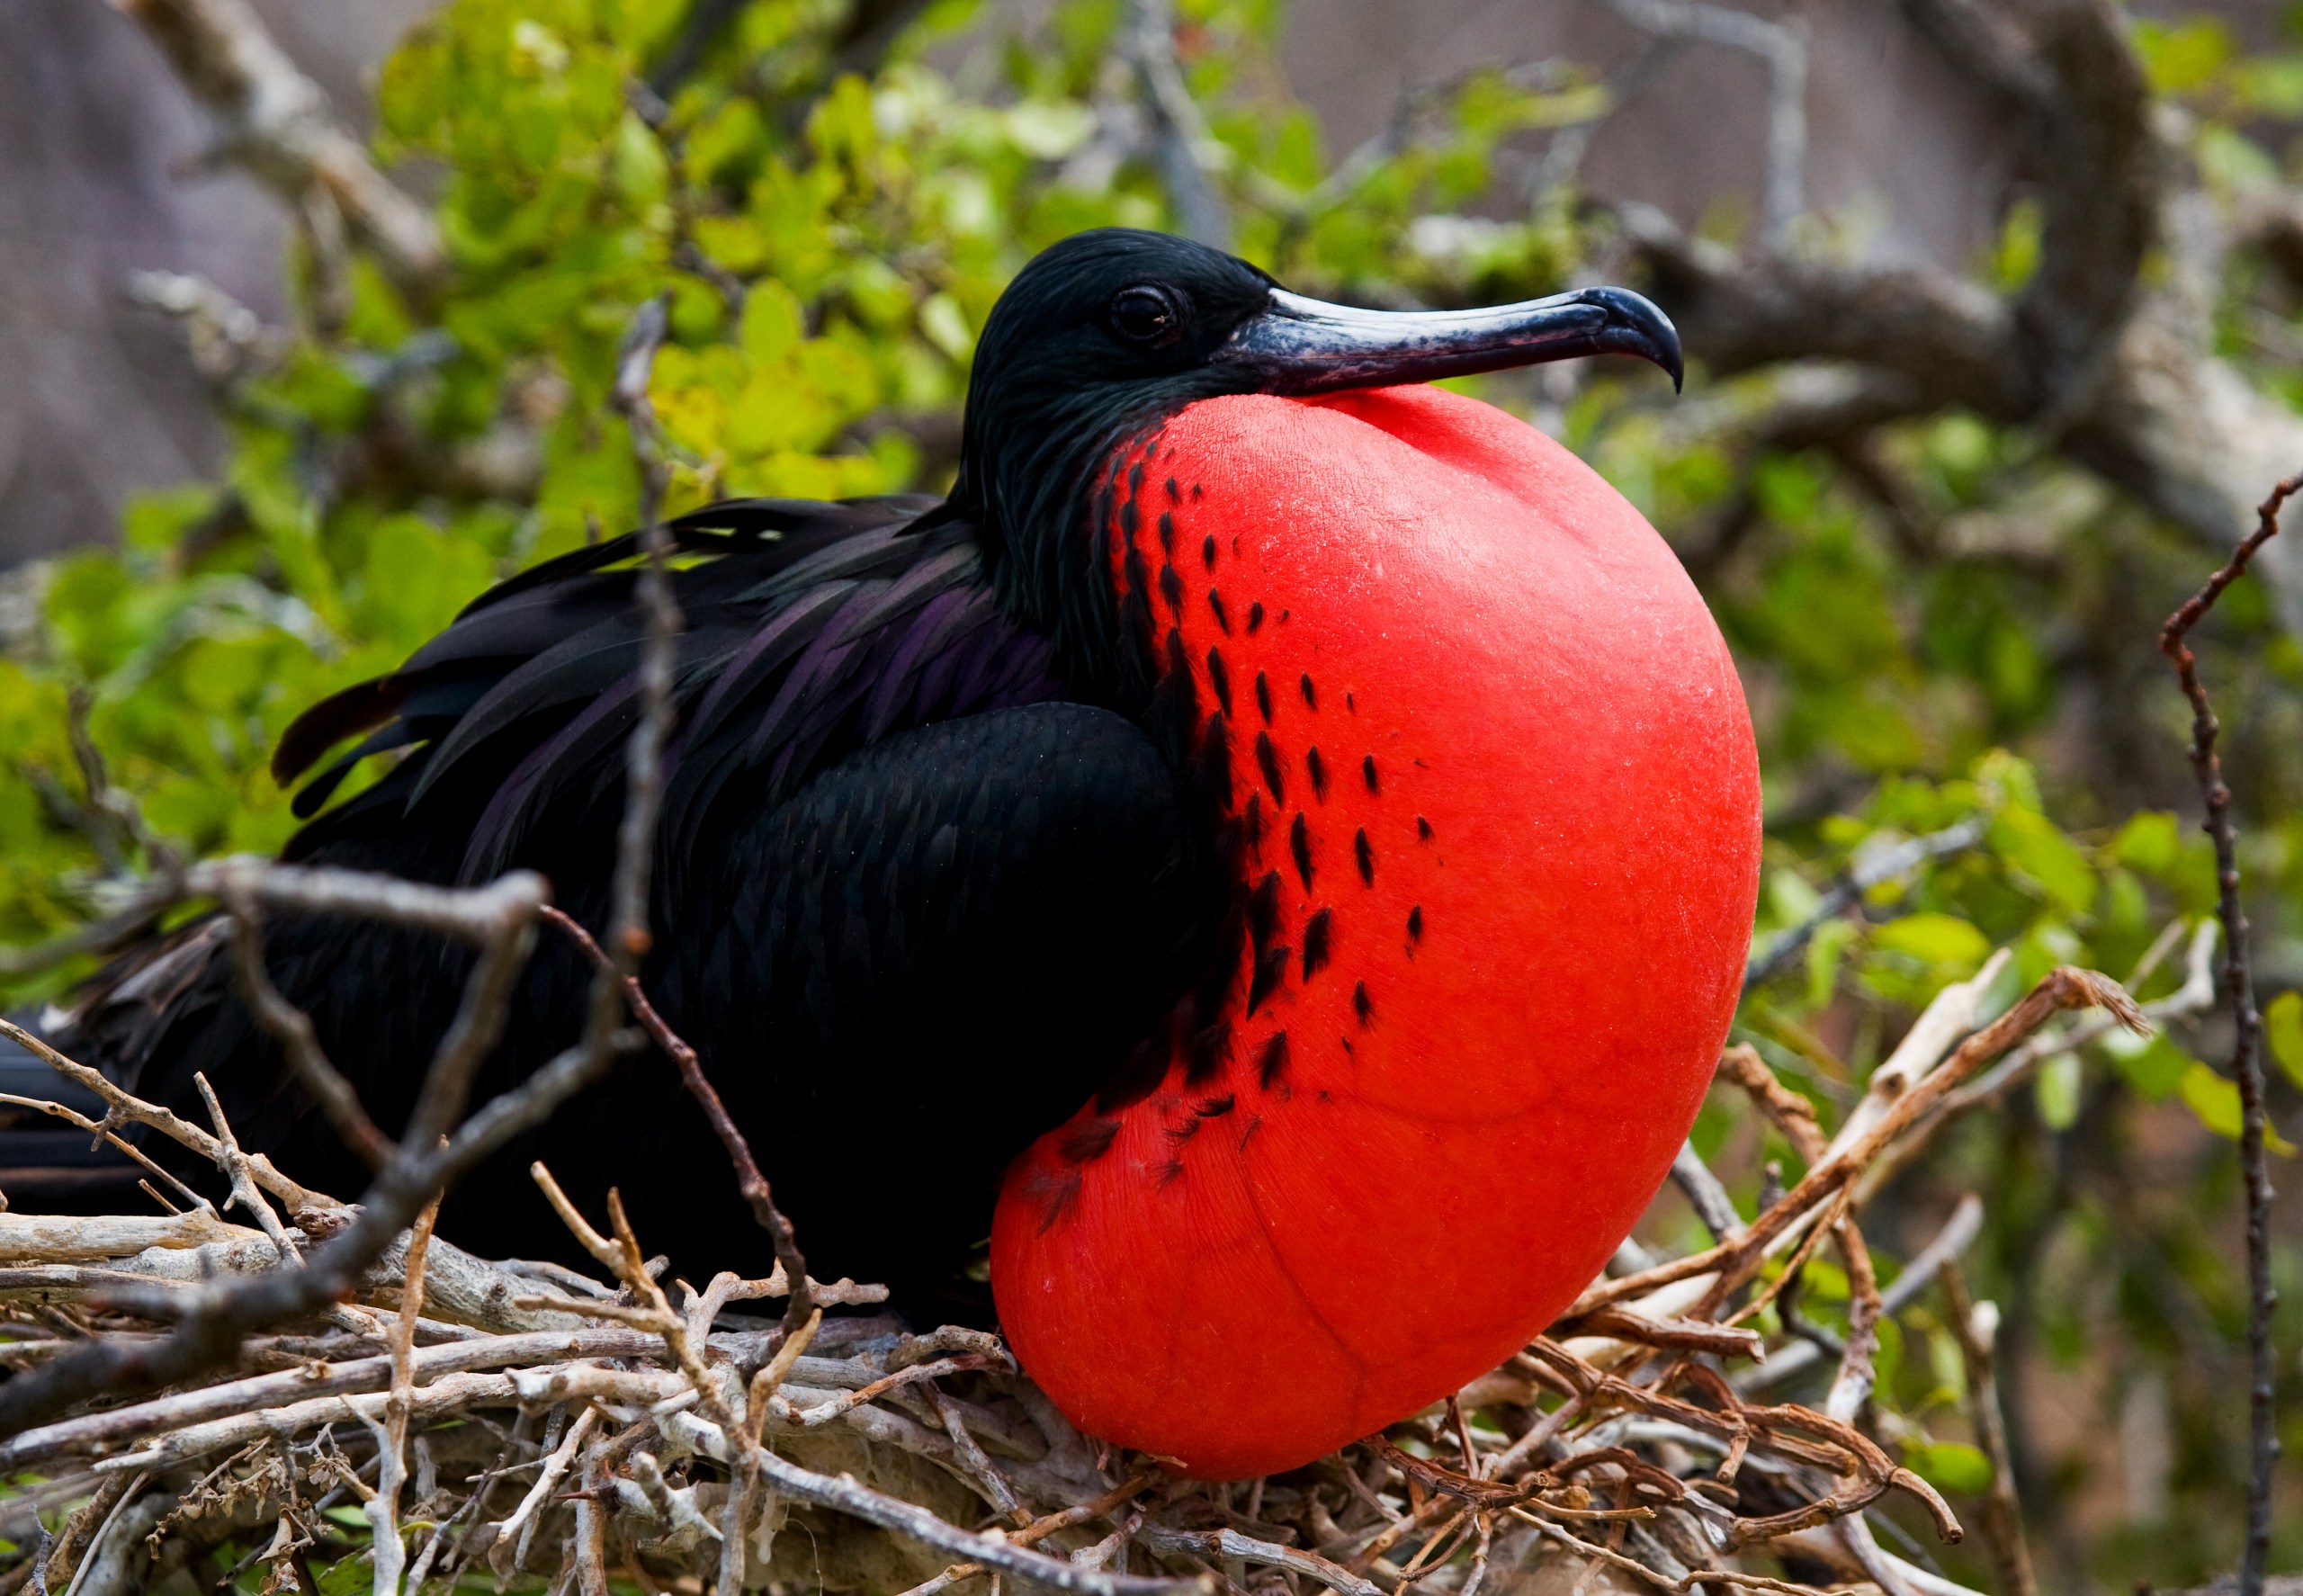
[{"x": 1991, "y": 307}]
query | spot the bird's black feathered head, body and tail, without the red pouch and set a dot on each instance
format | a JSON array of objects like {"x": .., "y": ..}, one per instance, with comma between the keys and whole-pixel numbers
[{"x": 948, "y": 844}]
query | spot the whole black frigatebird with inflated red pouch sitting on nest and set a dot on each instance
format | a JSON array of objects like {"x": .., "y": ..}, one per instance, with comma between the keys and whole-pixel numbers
[{"x": 1272, "y": 851}]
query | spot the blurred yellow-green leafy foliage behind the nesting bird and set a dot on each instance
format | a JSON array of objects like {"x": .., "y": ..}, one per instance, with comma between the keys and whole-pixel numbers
[{"x": 830, "y": 245}]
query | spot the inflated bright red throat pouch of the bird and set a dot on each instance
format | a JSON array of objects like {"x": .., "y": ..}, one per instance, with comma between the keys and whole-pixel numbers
[{"x": 1498, "y": 821}]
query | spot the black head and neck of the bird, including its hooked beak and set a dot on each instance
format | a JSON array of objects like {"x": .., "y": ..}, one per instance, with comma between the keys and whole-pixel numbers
[{"x": 1109, "y": 333}]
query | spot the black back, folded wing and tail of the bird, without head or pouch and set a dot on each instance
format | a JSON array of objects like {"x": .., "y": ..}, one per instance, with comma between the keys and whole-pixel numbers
[{"x": 858, "y": 911}]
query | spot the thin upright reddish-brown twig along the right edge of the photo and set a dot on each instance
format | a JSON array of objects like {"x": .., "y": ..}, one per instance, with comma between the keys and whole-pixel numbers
[{"x": 2247, "y": 1047}]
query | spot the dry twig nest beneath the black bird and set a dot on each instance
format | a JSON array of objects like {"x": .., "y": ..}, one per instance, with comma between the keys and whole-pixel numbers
[{"x": 446, "y": 1418}]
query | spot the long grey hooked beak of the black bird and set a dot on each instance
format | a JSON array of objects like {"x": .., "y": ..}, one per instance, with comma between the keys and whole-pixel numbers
[{"x": 1307, "y": 347}]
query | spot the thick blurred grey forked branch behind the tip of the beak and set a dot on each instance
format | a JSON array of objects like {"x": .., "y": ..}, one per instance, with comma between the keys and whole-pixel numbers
[{"x": 2101, "y": 365}]
